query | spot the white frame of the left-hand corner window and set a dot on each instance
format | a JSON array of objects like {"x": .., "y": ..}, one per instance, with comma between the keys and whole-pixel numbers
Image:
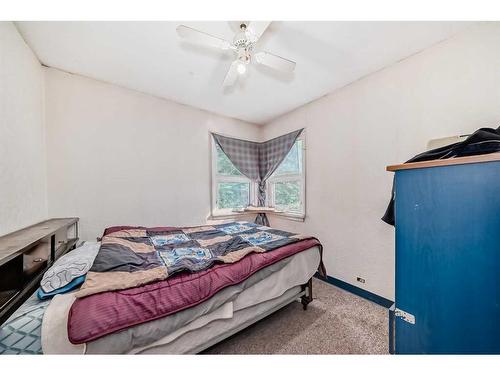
[{"x": 216, "y": 179}]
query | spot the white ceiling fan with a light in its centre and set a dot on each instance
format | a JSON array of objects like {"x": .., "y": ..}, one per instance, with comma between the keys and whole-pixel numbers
[{"x": 243, "y": 45}]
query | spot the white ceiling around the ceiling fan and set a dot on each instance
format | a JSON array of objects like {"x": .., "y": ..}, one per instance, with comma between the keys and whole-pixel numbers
[{"x": 149, "y": 57}]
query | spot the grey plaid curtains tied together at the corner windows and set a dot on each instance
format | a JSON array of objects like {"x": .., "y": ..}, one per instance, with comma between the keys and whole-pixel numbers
[{"x": 258, "y": 161}]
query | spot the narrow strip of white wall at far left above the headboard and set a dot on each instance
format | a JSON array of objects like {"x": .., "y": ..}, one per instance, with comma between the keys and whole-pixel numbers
[{"x": 23, "y": 196}]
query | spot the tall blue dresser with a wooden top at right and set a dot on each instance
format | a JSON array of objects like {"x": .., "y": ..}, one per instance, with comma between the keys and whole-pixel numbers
[{"x": 447, "y": 292}]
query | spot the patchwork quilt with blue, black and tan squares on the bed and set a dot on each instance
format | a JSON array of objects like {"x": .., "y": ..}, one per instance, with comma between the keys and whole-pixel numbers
[{"x": 130, "y": 257}]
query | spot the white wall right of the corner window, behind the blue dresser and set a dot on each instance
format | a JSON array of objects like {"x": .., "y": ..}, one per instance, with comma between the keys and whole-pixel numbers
[{"x": 386, "y": 118}]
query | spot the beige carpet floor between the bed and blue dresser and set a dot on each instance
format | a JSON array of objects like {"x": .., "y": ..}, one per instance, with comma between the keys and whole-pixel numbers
[{"x": 336, "y": 322}]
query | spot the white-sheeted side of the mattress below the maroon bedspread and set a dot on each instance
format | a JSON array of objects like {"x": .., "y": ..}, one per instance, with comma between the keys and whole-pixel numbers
[{"x": 191, "y": 335}]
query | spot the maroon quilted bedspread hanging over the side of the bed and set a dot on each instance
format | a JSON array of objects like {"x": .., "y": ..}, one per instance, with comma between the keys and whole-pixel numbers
[{"x": 104, "y": 313}]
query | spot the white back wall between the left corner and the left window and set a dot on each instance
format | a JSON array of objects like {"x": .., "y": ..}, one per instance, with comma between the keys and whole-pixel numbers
[{"x": 119, "y": 157}]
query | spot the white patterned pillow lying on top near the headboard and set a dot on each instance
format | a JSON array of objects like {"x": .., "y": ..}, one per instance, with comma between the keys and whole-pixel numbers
[{"x": 74, "y": 264}]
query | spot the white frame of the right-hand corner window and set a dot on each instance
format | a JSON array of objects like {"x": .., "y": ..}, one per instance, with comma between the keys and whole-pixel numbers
[{"x": 290, "y": 177}]
